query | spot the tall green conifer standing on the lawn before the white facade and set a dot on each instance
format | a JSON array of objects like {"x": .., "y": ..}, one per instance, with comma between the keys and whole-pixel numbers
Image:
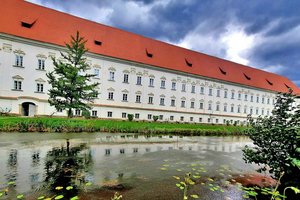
[{"x": 71, "y": 85}]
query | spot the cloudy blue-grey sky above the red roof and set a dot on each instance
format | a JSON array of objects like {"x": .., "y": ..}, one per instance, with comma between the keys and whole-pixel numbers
[{"x": 262, "y": 34}]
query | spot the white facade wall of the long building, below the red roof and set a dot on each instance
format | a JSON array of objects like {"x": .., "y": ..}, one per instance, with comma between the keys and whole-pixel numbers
[{"x": 29, "y": 75}]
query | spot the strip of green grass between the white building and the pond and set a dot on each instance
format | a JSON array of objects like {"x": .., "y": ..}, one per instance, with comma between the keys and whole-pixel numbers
[{"x": 46, "y": 124}]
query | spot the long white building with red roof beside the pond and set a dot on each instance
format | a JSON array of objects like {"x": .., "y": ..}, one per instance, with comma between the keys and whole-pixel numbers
[{"x": 137, "y": 75}]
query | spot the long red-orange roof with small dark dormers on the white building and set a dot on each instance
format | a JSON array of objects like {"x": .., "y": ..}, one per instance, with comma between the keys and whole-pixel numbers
[{"x": 50, "y": 26}]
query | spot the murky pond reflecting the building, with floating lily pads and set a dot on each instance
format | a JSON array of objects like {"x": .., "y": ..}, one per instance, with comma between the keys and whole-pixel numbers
[{"x": 96, "y": 165}]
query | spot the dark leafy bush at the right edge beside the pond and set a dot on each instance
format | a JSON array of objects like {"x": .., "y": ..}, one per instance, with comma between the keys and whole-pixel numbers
[{"x": 277, "y": 142}]
